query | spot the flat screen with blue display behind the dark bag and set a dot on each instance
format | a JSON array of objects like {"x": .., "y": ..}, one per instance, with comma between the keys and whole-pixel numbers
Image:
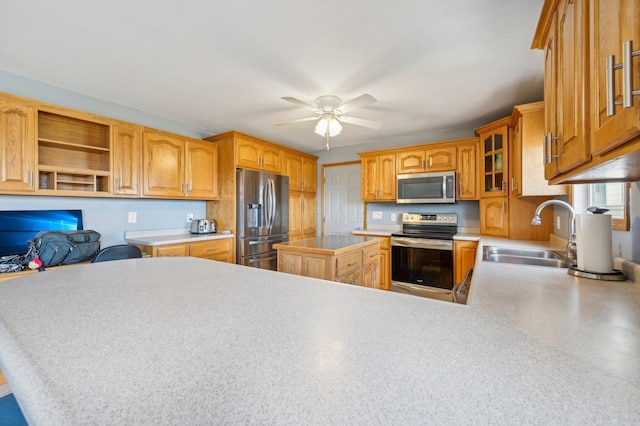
[{"x": 17, "y": 227}]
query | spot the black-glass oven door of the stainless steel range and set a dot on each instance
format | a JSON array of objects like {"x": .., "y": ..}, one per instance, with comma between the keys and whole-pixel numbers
[{"x": 422, "y": 262}]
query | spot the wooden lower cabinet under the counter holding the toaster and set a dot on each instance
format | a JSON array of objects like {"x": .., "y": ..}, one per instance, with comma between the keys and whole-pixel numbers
[{"x": 218, "y": 249}]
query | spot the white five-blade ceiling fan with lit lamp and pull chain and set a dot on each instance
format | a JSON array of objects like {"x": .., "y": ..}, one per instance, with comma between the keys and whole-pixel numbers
[{"x": 331, "y": 112}]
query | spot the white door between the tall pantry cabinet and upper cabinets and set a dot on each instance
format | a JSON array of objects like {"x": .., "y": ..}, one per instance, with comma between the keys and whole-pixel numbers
[{"x": 343, "y": 206}]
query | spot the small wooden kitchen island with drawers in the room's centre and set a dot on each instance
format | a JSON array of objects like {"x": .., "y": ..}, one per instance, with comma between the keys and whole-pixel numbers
[{"x": 343, "y": 258}]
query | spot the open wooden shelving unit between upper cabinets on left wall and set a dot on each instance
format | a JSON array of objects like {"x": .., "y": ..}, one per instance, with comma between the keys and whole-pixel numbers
[{"x": 73, "y": 154}]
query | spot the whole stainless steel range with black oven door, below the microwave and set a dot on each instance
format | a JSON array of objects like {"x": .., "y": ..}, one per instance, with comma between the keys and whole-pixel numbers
[{"x": 422, "y": 255}]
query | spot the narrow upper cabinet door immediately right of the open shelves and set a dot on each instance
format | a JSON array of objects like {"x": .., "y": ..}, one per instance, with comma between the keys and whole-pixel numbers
[{"x": 126, "y": 159}]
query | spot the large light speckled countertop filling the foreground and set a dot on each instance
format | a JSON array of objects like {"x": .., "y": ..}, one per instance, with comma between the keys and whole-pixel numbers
[{"x": 190, "y": 341}]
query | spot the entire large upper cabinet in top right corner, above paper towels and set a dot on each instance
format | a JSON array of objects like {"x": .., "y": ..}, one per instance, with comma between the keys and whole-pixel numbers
[{"x": 592, "y": 115}]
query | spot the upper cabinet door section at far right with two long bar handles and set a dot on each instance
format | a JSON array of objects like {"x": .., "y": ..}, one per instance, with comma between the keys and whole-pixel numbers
[{"x": 615, "y": 24}]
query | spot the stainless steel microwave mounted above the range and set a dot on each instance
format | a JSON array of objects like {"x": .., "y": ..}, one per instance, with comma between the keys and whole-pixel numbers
[{"x": 427, "y": 188}]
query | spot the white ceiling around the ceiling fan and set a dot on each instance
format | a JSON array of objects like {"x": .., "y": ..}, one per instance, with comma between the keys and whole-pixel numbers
[{"x": 433, "y": 65}]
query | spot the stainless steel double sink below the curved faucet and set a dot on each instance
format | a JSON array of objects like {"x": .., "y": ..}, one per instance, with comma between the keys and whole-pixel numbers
[{"x": 525, "y": 256}]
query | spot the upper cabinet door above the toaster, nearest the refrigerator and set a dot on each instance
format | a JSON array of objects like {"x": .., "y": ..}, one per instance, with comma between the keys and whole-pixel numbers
[{"x": 201, "y": 166}]
